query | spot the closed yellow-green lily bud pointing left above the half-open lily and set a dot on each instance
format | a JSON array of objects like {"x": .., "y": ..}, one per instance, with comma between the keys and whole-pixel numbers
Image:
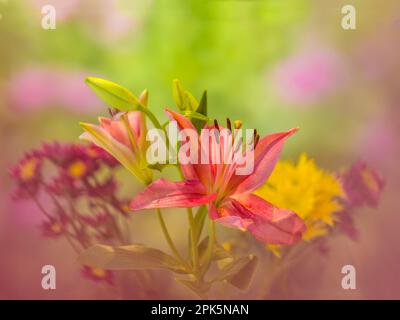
[{"x": 113, "y": 94}]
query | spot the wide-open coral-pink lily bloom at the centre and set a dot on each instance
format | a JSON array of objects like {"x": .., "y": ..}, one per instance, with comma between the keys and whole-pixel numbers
[{"x": 228, "y": 195}]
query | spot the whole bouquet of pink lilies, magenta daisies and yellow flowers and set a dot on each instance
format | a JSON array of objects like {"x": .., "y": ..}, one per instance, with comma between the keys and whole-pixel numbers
[{"x": 231, "y": 176}]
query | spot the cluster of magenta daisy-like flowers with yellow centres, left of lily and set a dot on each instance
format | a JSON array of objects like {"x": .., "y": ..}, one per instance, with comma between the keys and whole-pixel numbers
[{"x": 79, "y": 176}]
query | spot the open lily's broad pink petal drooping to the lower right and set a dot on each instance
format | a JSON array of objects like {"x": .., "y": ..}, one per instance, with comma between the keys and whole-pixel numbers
[{"x": 270, "y": 224}]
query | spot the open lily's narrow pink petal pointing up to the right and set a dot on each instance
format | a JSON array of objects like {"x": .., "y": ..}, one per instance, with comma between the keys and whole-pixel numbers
[{"x": 266, "y": 155}]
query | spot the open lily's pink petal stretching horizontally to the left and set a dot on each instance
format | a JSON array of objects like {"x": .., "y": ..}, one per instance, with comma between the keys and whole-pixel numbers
[{"x": 166, "y": 194}]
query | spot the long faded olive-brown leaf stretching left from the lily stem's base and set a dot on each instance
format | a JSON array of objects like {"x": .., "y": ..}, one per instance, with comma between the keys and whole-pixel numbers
[{"x": 129, "y": 257}]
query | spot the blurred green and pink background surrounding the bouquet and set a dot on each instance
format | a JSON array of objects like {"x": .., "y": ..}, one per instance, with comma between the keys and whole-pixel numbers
[{"x": 274, "y": 64}]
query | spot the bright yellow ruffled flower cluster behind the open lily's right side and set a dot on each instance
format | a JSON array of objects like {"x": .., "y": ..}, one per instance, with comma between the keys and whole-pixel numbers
[{"x": 307, "y": 190}]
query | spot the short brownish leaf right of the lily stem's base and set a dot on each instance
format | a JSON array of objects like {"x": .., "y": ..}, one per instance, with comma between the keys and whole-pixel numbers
[{"x": 238, "y": 273}]
